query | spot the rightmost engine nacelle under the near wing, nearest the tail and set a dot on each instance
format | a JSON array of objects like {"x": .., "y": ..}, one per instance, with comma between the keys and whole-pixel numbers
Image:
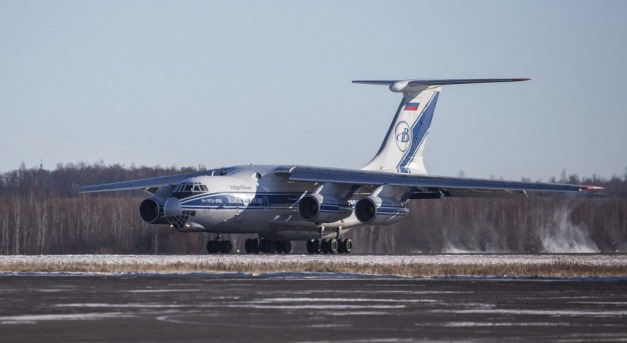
[{"x": 375, "y": 210}]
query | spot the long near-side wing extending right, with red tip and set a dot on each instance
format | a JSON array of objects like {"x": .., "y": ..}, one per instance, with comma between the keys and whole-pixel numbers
[{"x": 426, "y": 185}]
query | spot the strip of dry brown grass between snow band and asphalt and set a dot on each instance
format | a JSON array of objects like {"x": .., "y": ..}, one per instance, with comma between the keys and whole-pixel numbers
[{"x": 553, "y": 268}]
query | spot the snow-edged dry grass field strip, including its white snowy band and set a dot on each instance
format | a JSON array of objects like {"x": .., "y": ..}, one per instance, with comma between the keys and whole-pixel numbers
[{"x": 577, "y": 265}]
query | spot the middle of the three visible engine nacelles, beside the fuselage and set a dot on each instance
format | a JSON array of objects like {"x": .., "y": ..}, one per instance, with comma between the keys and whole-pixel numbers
[{"x": 327, "y": 209}]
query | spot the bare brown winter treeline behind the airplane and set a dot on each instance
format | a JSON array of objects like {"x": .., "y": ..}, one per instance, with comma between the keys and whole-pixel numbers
[{"x": 41, "y": 212}]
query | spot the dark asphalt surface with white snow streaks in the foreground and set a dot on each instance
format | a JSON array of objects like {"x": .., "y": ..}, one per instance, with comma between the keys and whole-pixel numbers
[{"x": 308, "y": 308}]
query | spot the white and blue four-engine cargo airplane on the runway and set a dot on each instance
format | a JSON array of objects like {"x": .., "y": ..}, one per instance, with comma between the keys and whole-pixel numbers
[{"x": 285, "y": 203}]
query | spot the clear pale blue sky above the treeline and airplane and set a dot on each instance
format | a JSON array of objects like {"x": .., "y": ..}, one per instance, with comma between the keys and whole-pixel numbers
[{"x": 220, "y": 83}]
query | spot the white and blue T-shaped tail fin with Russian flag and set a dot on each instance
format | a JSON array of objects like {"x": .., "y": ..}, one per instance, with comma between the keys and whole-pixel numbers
[{"x": 403, "y": 146}]
